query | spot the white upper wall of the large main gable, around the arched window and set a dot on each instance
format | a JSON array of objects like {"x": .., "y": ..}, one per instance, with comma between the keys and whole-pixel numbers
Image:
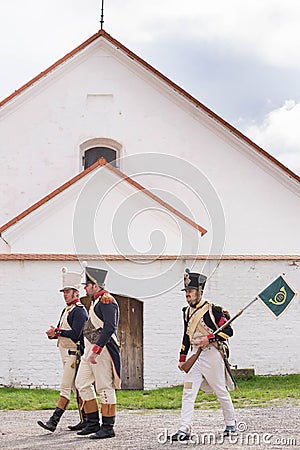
[{"x": 102, "y": 93}]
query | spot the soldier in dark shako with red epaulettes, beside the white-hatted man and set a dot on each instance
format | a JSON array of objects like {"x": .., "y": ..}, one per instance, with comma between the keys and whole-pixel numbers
[{"x": 100, "y": 365}]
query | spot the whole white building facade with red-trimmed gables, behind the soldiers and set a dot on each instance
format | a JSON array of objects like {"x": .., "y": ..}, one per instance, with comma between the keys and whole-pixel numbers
[{"x": 185, "y": 190}]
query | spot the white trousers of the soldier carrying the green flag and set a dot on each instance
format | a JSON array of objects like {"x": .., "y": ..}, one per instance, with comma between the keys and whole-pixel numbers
[{"x": 209, "y": 368}]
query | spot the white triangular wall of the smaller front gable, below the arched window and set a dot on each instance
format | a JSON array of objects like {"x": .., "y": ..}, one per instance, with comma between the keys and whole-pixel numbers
[{"x": 102, "y": 214}]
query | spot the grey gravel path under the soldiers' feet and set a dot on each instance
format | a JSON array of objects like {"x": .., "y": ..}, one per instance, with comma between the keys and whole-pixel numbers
[{"x": 260, "y": 428}]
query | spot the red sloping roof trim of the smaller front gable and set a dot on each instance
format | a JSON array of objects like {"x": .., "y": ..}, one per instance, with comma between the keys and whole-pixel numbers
[{"x": 100, "y": 162}]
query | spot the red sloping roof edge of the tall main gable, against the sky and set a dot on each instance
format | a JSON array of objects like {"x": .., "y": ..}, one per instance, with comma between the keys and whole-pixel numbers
[{"x": 156, "y": 73}]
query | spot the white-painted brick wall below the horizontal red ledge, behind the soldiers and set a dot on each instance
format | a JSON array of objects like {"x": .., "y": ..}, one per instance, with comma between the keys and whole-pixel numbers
[{"x": 32, "y": 302}]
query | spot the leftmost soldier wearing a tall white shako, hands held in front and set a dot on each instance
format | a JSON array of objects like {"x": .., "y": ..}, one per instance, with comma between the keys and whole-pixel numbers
[{"x": 70, "y": 342}]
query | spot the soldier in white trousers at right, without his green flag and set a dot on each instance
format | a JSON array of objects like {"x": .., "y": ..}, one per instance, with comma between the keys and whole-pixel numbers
[{"x": 210, "y": 371}]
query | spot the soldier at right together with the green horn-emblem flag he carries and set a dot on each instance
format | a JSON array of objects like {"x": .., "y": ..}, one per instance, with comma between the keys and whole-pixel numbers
[{"x": 202, "y": 367}]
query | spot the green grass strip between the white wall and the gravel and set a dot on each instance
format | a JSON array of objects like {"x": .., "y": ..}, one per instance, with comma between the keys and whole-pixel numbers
[{"x": 253, "y": 392}]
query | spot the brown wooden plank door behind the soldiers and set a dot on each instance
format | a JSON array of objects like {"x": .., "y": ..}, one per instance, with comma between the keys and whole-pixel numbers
[{"x": 131, "y": 339}]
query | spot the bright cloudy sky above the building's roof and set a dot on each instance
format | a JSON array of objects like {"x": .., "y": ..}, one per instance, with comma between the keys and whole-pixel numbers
[{"x": 238, "y": 57}]
